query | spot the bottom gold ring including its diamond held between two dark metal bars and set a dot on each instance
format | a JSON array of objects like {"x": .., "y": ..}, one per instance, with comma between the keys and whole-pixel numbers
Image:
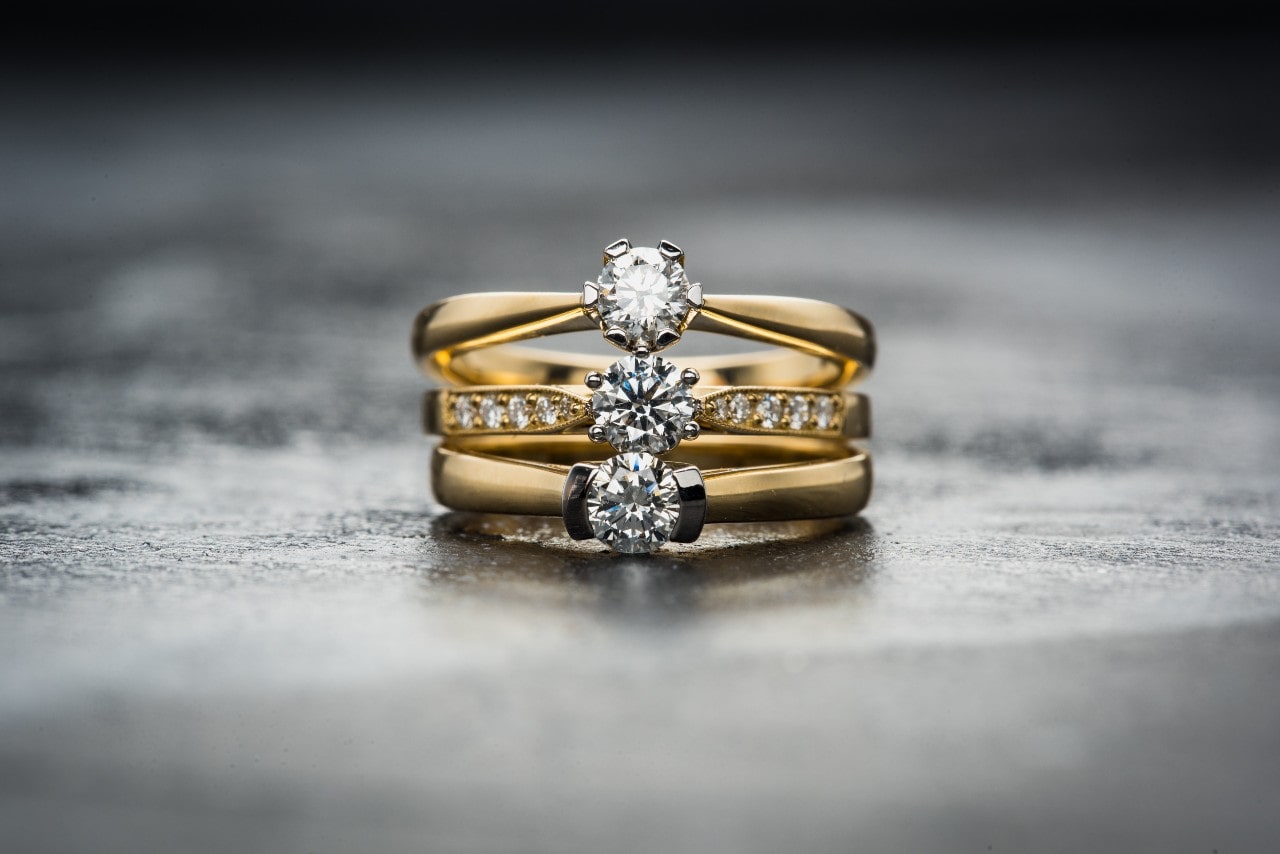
[{"x": 802, "y": 479}]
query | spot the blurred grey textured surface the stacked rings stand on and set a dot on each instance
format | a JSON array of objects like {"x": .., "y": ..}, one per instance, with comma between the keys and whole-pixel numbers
[{"x": 232, "y": 619}]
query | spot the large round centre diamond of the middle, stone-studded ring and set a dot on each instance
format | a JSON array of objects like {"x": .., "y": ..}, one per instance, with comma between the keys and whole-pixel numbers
[{"x": 643, "y": 405}]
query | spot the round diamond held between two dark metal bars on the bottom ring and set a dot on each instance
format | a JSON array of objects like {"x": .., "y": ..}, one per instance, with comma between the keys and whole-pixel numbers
[{"x": 633, "y": 503}]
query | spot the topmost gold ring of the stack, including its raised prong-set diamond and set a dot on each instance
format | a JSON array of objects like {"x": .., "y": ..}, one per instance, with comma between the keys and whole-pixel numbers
[{"x": 469, "y": 340}]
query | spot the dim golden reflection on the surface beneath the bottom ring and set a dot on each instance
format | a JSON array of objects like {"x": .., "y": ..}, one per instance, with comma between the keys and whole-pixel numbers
[{"x": 529, "y": 559}]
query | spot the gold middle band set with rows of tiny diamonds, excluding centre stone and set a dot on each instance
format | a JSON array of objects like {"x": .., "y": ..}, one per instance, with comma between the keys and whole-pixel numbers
[{"x": 559, "y": 409}]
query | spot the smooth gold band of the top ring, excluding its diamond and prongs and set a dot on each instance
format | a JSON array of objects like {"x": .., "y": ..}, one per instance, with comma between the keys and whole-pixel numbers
[{"x": 468, "y": 341}]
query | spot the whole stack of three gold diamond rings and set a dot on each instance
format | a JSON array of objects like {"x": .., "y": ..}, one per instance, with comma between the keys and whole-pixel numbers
[{"x": 647, "y": 449}]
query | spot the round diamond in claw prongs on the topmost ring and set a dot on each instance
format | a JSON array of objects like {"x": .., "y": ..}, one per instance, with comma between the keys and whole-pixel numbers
[{"x": 643, "y": 294}]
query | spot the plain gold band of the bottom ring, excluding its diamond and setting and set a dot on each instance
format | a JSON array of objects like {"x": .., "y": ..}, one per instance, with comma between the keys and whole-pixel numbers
[{"x": 748, "y": 479}]
